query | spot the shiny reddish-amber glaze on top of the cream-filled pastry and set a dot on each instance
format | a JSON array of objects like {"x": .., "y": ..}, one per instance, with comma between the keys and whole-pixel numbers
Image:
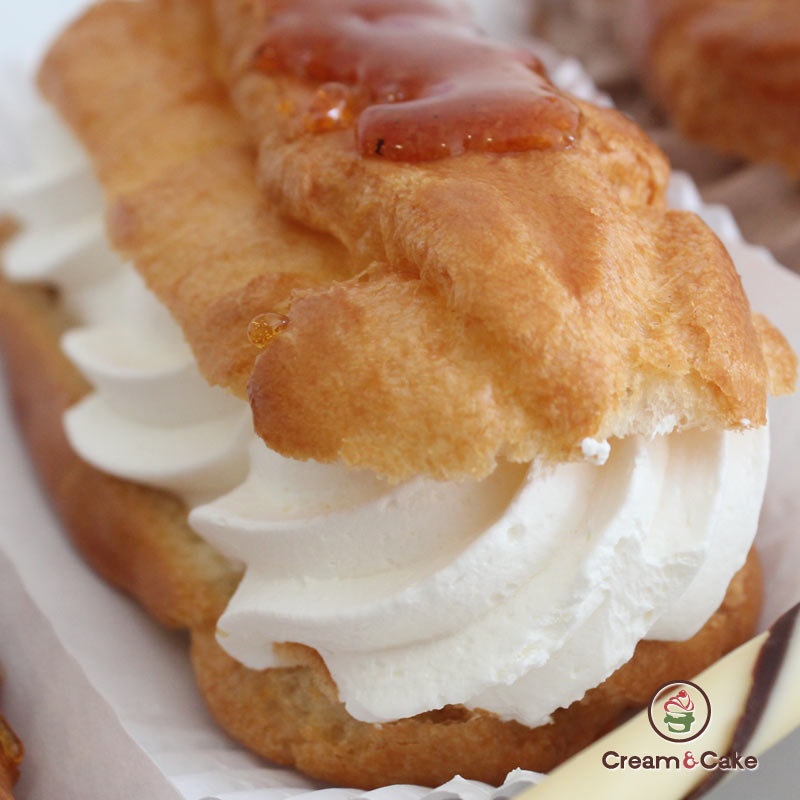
[{"x": 418, "y": 82}]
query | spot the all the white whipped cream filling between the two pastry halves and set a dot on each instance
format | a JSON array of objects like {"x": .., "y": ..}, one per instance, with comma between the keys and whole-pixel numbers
[{"x": 515, "y": 595}]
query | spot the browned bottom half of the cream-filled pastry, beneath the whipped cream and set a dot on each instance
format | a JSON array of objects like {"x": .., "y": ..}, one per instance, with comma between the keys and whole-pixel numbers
[{"x": 139, "y": 539}]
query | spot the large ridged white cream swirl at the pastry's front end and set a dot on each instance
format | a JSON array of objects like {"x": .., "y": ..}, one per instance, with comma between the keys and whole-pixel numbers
[{"x": 514, "y": 595}]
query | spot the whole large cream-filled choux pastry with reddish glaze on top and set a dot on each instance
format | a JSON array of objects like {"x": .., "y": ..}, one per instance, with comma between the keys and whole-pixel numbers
[{"x": 510, "y": 409}]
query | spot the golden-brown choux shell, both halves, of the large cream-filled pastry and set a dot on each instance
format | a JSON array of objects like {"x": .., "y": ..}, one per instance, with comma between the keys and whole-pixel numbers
[{"x": 441, "y": 313}]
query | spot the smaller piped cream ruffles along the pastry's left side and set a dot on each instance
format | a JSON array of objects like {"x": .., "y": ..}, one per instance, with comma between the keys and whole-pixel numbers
[{"x": 152, "y": 417}]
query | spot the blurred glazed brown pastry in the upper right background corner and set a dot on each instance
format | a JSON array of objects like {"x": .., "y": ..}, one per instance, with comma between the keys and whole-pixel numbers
[{"x": 728, "y": 72}]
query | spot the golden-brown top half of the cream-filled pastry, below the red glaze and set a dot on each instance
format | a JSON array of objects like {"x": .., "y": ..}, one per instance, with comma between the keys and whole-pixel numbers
[{"x": 441, "y": 315}]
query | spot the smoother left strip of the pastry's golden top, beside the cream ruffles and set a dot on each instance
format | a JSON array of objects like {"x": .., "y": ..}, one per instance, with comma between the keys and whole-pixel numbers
[{"x": 178, "y": 167}]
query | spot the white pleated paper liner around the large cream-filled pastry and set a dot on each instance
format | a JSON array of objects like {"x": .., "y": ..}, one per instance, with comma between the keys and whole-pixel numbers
[{"x": 105, "y": 700}]
